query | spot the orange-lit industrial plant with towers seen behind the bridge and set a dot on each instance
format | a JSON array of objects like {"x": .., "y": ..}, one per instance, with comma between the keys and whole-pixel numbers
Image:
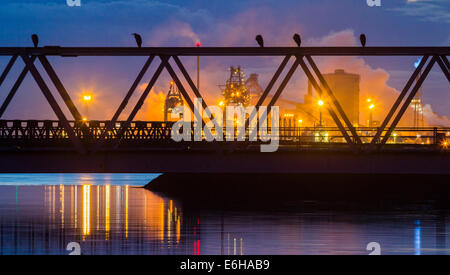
[{"x": 238, "y": 91}]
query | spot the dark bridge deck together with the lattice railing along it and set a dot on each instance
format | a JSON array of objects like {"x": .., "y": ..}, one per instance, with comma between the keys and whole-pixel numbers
[{"x": 145, "y": 147}]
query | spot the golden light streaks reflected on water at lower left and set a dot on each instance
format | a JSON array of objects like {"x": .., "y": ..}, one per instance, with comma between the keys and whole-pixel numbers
[{"x": 104, "y": 219}]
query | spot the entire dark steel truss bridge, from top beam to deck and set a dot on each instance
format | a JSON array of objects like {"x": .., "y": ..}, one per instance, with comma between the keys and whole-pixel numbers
[{"x": 70, "y": 144}]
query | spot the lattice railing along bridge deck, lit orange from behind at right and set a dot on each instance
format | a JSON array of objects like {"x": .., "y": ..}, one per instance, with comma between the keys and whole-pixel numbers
[{"x": 49, "y": 130}]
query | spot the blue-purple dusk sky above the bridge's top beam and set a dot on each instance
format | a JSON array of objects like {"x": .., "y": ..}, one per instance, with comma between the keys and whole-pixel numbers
[{"x": 108, "y": 22}]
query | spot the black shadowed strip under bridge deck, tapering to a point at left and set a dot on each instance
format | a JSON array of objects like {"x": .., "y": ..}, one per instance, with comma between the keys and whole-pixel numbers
[{"x": 294, "y": 192}]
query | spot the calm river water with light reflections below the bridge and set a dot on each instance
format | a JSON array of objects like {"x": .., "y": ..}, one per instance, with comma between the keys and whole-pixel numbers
[{"x": 110, "y": 214}]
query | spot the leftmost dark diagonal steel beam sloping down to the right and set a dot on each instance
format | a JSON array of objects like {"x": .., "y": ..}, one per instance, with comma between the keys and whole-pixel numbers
[{"x": 53, "y": 103}]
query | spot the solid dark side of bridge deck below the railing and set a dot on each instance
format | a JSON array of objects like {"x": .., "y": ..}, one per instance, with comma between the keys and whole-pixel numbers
[{"x": 238, "y": 161}]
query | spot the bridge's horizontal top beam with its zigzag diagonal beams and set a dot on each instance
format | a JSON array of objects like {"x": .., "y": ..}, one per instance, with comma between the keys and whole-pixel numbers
[{"x": 302, "y": 57}]
